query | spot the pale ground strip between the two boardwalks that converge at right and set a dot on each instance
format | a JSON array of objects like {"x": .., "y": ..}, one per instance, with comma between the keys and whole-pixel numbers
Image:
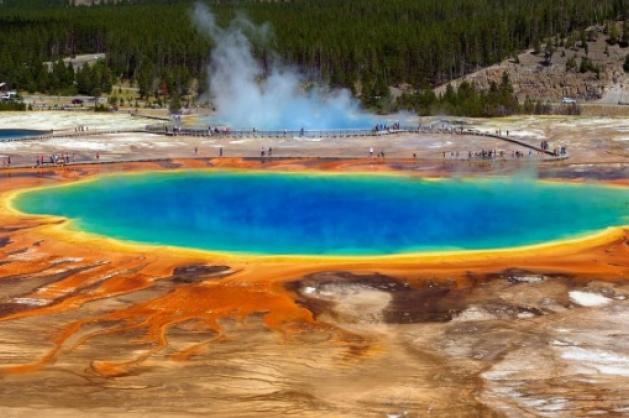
[{"x": 162, "y": 141}]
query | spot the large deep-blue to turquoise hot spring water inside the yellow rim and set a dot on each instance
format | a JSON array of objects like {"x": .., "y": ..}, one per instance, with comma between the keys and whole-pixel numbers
[{"x": 269, "y": 213}]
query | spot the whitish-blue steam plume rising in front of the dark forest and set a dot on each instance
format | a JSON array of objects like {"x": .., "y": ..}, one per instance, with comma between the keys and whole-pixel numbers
[{"x": 246, "y": 97}]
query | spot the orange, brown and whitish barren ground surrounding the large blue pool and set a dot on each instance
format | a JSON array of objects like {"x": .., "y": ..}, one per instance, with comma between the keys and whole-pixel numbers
[{"x": 92, "y": 328}]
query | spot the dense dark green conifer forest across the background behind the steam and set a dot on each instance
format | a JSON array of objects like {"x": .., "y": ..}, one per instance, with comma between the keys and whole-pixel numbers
[{"x": 365, "y": 45}]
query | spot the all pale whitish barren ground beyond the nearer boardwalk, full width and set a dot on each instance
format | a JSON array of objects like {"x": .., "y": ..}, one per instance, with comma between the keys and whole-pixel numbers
[{"x": 588, "y": 139}]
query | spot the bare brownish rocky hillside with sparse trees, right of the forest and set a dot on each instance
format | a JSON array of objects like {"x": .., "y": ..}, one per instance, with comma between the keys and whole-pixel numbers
[{"x": 592, "y": 73}]
